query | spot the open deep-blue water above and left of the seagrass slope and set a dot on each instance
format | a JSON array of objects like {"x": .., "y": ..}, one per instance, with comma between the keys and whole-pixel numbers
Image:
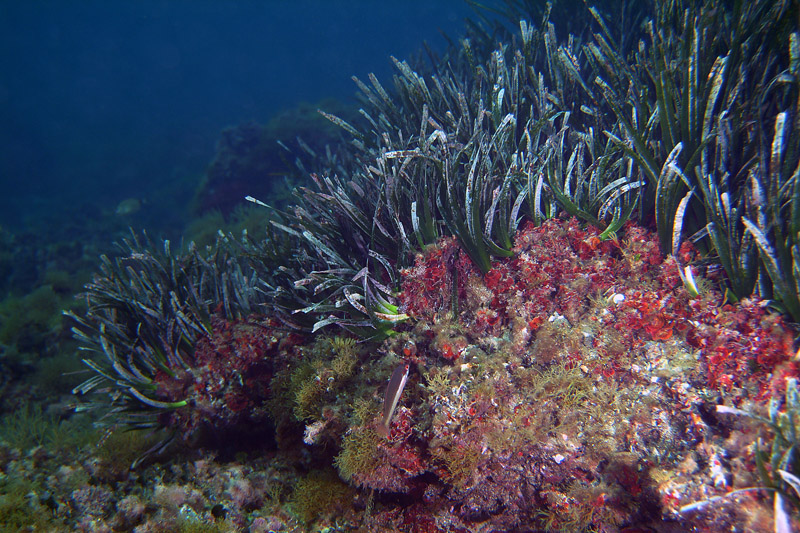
[{"x": 103, "y": 100}]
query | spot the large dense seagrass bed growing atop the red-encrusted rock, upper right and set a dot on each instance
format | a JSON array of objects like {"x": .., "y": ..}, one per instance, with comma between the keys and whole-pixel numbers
[{"x": 677, "y": 114}]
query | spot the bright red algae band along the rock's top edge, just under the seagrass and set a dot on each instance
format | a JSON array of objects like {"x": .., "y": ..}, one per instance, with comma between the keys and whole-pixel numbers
[{"x": 559, "y": 268}]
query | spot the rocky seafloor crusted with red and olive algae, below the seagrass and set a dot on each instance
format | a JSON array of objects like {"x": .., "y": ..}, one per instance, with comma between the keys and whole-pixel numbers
[{"x": 574, "y": 387}]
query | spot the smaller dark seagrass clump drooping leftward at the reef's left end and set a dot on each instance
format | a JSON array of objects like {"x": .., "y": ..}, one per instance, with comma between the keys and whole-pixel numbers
[{"x": 145, "y": 311}]
